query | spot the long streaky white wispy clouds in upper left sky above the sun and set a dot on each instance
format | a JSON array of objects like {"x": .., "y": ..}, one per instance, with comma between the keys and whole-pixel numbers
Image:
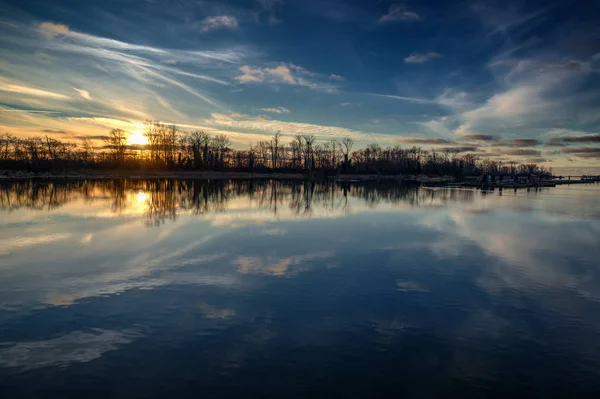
[{"x": 150, "y": 66}]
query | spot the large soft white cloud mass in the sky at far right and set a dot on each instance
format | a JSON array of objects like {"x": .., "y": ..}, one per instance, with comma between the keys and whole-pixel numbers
[{"x": 544, "y": 90}]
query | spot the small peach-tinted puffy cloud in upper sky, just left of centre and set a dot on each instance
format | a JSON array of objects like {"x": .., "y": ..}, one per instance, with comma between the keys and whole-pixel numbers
[{"x": 288, "y": 74}]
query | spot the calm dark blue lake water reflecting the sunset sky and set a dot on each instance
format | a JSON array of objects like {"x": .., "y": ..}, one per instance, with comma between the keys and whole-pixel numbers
[{"x": 191, "y": 289}]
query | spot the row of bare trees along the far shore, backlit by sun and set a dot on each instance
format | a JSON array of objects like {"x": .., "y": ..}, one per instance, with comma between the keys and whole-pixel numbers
[{"x": 169, "y": 148}]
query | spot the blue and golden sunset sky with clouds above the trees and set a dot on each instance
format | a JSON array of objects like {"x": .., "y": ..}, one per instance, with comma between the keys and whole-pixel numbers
[{"x": 509, "y": 80}]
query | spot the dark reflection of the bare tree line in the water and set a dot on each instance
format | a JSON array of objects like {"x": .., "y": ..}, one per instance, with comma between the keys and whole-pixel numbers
[{"x": 164, "y": 199}]
